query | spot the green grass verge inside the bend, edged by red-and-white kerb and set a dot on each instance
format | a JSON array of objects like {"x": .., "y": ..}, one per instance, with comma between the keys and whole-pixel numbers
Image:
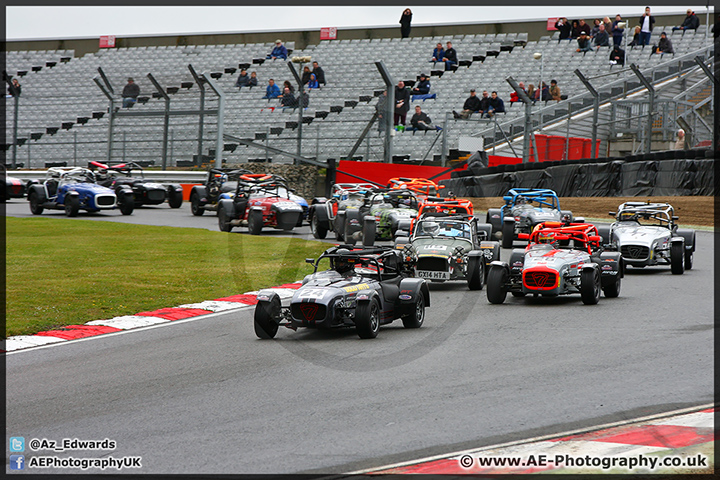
[{"x": 65, "y": 273}]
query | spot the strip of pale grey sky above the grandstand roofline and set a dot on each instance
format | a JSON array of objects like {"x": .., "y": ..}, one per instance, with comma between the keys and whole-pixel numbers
[{"x": 42, "y": 22}]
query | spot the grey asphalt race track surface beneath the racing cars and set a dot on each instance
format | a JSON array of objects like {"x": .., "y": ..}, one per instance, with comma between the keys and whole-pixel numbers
[{"x": 207, "y": 396}]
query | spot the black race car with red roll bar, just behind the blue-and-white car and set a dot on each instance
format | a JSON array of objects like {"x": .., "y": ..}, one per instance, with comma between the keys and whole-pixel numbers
[{"x": 145, "y": 191}]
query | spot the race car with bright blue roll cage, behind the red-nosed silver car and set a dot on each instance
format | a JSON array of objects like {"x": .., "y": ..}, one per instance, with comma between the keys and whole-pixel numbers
[{"x": 524, "y": 208}]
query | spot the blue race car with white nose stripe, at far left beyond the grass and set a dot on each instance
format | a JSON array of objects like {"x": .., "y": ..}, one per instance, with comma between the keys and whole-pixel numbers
[{"x": 74, "y": 188}]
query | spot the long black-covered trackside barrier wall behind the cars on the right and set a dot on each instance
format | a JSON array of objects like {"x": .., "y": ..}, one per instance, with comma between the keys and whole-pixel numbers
[{"x": 587, "y": 178}]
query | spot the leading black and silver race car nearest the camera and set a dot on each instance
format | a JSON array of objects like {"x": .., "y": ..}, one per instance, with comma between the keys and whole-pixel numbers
[{"x": 361, "y": 288}]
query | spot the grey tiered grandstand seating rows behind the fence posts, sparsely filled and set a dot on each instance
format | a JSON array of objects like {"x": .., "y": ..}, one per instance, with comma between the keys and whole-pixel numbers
[{"x": 64, "y": 117}]
